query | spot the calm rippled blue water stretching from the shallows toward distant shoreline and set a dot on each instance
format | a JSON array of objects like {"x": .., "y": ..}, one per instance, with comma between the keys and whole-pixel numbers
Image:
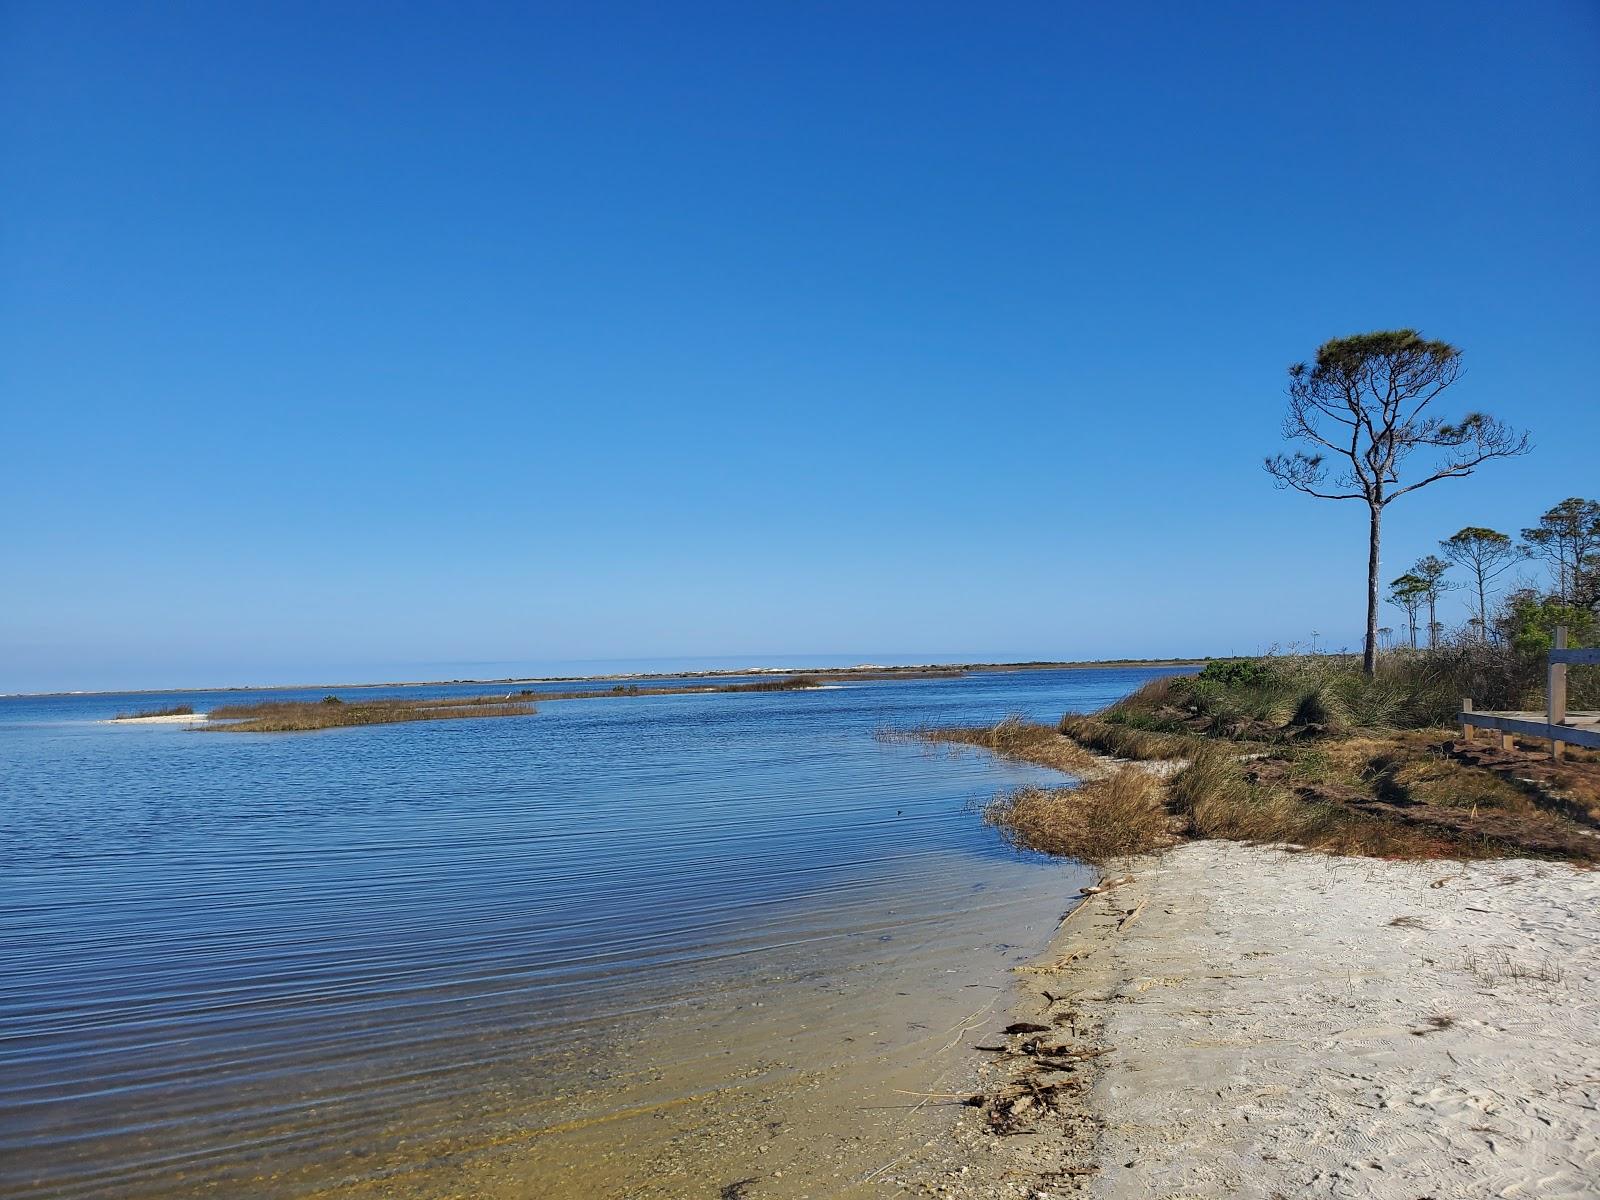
[{"x": 274, "y": 964}]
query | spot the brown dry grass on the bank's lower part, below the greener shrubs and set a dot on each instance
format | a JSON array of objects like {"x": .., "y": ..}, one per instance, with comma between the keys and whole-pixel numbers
[{"x": 1380, "y": 796}]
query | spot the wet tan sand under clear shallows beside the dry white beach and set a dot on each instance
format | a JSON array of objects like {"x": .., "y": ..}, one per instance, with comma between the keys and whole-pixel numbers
[{"x": 796, "y": 1084}]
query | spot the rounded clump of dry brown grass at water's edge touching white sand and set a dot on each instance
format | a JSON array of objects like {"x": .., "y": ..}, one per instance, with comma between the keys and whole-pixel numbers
[{"x": 1102, "y": 820}]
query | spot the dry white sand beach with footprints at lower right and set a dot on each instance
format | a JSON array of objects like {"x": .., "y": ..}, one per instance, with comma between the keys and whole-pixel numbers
[{"x": 1274, "y": 1034}]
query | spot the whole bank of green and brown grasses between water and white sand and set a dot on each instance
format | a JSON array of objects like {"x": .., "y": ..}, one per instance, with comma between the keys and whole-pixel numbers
[{"x": 1305, "y": 753}]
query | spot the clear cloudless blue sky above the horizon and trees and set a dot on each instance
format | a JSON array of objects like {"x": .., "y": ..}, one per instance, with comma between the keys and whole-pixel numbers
[{"x": 372, "y": 342}]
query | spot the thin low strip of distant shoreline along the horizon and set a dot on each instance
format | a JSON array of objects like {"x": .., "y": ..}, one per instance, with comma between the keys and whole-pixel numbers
[{"x": 926, "y": 670}]
